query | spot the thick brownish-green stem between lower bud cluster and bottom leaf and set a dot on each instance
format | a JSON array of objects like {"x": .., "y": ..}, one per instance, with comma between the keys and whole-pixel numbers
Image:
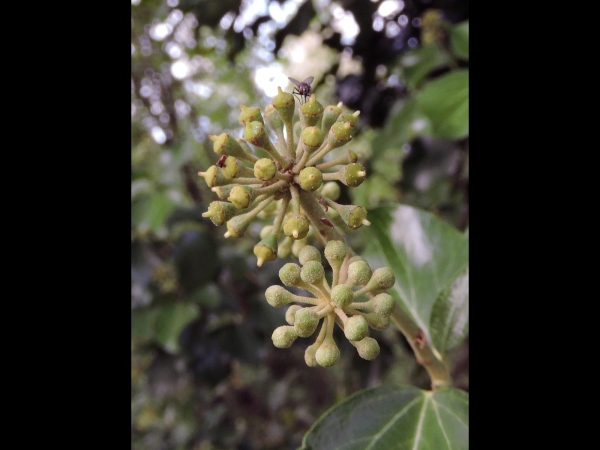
[{"x": 437, "y": 370}]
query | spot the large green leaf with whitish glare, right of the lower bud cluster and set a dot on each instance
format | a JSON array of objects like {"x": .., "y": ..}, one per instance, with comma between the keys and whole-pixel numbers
[{"x": 427, "y": 256}]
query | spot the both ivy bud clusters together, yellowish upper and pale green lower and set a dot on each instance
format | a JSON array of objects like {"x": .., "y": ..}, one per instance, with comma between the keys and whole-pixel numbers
[{"x": 295, "y": 185}]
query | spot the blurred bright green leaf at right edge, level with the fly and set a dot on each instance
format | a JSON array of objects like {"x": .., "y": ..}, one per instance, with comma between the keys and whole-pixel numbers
[{"x": 445, "y": 102}]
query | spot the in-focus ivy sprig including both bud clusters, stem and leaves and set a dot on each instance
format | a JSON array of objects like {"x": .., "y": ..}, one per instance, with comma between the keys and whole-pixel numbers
[{"x": 291, "y": 183}]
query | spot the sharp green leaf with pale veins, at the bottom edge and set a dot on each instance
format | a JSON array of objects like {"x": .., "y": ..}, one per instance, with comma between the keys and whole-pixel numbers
[{"x": 394, "y": 418}]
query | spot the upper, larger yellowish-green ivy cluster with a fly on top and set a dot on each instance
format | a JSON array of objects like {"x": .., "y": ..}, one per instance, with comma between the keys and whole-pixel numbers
[{"x": 294, "y": 181}]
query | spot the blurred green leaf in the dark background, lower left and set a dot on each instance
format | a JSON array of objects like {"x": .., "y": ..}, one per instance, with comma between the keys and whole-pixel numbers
[{"x": 171, "y": 321}]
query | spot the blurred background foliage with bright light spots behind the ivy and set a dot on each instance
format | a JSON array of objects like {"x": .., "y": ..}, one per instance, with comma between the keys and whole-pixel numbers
[{"x": 204, "y": 372}]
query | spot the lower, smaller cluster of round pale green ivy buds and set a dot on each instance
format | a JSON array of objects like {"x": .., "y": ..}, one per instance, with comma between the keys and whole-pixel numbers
[{"x": 339, "y": 303}]
